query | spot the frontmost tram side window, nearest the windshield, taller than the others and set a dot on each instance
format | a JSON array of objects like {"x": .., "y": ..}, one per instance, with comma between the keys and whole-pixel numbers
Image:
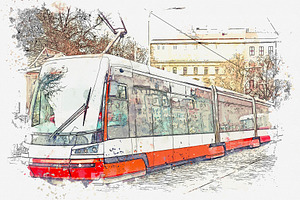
[{"x": 117, "y": 112}]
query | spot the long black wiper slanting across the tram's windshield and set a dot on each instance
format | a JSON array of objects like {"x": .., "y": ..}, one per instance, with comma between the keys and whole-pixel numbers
[{"x": 73, "y": 117}]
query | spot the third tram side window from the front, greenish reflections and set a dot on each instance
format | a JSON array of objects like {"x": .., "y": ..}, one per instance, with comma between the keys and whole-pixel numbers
[{"x": 161, "y": 114}]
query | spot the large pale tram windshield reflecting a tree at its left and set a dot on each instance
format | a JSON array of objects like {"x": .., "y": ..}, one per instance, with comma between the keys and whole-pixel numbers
[{"x": 63, "y": 87}]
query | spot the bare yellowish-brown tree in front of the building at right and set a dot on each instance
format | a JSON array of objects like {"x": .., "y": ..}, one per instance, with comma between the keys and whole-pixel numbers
[{"x": 258, "y": 79}]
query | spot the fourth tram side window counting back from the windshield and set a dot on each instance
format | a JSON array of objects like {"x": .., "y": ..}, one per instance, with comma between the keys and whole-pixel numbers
[{"x": 179, "y": 115}]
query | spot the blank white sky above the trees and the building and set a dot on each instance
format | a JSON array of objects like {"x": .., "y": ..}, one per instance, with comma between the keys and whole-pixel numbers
[{"x": 197, "y": 13}]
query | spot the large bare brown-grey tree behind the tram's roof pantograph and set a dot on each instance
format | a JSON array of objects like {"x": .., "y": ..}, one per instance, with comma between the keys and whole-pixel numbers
[{"x": 70, "y": 31}]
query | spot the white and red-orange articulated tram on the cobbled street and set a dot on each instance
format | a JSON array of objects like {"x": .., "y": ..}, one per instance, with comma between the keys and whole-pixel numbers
[{"x": 102, "y": 118}]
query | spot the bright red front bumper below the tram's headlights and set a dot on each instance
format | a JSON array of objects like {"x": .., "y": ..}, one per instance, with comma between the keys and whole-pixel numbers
[{"x": 76, "y": 169}]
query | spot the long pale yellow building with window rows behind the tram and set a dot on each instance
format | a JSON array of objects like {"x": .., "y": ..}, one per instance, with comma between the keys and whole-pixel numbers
[{"x": 201, "y": 55}]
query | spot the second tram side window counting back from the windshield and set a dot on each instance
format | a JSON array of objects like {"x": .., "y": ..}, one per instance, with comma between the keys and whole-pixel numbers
[{"x": 143, "y": 109}]
